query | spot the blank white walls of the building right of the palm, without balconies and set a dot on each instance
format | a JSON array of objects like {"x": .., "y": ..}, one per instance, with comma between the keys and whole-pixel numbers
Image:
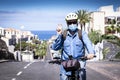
[{"x": 98, "y": 18}]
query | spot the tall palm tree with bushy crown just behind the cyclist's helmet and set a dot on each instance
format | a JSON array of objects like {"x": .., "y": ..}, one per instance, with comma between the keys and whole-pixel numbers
[{"x": 84, "y": 17}]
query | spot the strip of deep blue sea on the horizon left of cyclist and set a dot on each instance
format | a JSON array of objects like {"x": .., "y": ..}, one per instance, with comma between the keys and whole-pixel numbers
[{"x": 44, "y": 35}]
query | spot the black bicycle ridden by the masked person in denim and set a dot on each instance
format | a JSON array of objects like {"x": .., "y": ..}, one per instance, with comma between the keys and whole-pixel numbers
[{"x": 73, "y": 75}]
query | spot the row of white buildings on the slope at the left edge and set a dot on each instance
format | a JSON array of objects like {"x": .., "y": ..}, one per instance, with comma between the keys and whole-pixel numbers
[{"x": 11, "y": 33}]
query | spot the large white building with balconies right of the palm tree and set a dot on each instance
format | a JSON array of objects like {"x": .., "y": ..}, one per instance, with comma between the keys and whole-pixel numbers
[{"x": 104, "y": 17}]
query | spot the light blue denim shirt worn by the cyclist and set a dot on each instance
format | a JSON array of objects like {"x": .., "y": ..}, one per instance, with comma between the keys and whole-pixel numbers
[{"x": 72, "y": 45}]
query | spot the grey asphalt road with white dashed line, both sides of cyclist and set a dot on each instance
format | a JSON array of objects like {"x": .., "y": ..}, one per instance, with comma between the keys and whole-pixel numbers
[{"x": 42, "y": 70}]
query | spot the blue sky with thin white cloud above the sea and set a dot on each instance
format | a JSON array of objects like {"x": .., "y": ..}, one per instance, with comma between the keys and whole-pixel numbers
[{"x": 44, "y": 14}]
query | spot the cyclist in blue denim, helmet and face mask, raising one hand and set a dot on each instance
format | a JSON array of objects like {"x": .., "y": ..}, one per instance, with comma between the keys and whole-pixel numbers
[{"x": 73, "y": 46}]
